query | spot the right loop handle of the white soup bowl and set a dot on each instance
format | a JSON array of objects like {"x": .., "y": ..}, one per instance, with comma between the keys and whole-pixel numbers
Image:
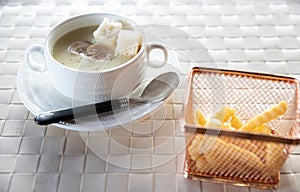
[{"x": 155, "y": 63}]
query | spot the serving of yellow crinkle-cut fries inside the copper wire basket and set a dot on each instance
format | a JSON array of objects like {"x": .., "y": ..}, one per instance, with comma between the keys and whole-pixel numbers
[{"x": 237, "y": 156}]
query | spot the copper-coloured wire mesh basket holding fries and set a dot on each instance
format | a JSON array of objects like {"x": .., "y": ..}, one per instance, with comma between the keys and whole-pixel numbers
[{"x": 235, "y": 157}]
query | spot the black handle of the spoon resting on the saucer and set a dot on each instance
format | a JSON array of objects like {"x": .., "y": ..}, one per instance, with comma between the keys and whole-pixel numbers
[{"x": 80, "y": 111}]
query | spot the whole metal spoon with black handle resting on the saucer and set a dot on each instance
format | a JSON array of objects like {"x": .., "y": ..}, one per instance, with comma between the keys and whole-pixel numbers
[{"x": 159, "y": 89}]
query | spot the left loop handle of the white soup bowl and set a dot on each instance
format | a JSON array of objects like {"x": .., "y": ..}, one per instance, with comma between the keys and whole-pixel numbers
[{"x": 35, "y": 58}]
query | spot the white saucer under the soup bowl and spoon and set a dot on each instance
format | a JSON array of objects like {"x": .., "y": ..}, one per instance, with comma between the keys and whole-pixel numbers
[{"x": 38, "y": 95}]
